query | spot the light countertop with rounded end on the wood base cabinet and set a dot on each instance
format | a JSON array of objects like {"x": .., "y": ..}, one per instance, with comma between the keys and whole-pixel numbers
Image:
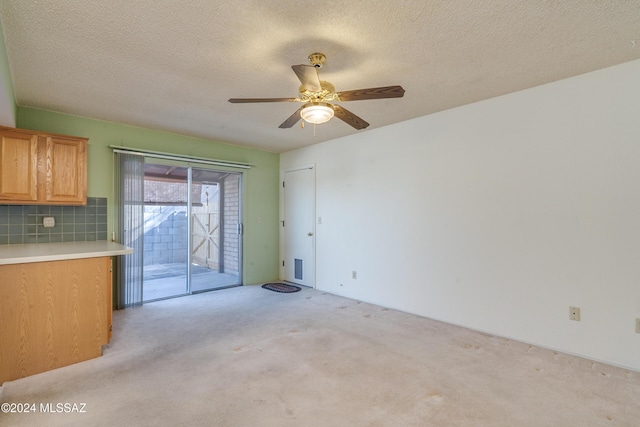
[{"x": 39, "y": 252}]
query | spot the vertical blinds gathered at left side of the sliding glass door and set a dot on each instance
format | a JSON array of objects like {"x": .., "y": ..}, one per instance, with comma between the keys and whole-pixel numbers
[{"x": 130, "y": 227}]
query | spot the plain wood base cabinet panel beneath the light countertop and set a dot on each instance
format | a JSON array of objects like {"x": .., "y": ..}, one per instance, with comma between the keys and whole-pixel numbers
[{"x": 53, "y": 314}]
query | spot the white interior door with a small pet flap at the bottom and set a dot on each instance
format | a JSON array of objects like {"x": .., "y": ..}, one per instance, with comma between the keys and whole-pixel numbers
[{"x": 299, "y": 226}]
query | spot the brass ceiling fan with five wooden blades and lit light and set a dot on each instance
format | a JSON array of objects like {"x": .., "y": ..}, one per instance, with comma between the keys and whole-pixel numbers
[{"x": 318, "y": 96}]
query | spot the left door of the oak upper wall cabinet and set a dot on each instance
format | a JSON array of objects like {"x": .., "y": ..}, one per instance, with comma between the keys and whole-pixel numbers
[{"x": 18, "y": 166}]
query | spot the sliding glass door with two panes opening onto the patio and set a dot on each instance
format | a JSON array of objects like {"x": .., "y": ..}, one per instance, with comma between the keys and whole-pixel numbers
[{"x": 191, "y": 230}]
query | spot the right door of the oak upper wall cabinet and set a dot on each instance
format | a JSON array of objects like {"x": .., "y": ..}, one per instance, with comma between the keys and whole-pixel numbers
[{"x": 66, "y": 171}]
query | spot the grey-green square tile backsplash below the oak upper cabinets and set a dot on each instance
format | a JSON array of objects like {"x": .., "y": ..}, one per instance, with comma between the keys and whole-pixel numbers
[{"x": 24, "y": 223}]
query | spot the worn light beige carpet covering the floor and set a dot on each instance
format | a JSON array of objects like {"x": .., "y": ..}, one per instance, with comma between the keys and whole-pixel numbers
[{"x": 251, "y": 357}]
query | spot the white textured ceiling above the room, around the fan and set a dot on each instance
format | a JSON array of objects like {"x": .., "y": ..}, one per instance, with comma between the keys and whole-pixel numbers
[{"x": 172, "y": 65}]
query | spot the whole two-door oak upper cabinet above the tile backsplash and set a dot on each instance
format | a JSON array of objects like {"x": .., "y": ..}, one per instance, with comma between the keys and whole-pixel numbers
[{"x": 42, "y": 168}]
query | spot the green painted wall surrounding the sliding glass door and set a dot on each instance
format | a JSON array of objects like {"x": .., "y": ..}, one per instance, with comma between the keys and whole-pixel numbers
[{"x": 260, "y": 183}]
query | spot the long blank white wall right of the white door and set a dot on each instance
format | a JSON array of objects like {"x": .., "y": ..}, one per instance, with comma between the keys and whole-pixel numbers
[{"x": 497, "y": 215}]
